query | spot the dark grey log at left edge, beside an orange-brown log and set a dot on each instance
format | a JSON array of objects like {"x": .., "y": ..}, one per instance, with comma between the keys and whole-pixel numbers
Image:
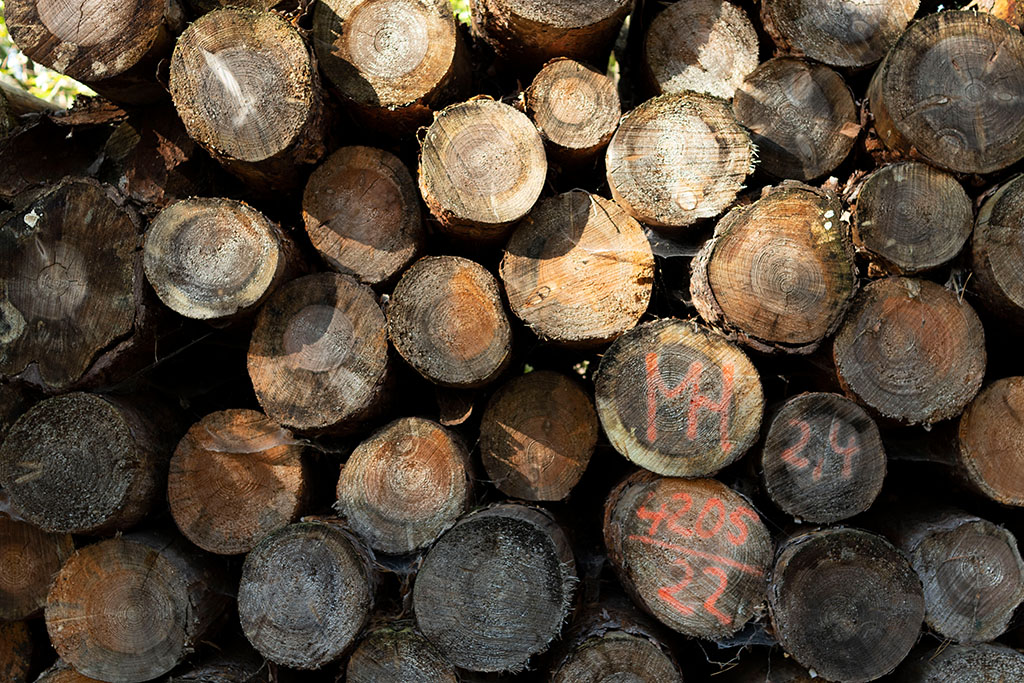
[{"x": 83, "y": 464}]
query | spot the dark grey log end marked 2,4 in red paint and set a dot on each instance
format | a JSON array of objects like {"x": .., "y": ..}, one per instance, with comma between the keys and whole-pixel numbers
[{"x": 823, "y": 460}]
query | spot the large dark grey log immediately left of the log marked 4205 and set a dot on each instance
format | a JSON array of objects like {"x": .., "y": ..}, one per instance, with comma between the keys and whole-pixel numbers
[{"x": 495, "y": 590}]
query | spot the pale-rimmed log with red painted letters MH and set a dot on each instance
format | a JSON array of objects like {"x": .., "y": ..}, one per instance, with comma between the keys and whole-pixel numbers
[{"x": 678, "y": 400}]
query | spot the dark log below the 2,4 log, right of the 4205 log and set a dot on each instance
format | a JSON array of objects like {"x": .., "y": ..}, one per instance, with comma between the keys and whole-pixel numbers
[{"x": 845, "y": 604}]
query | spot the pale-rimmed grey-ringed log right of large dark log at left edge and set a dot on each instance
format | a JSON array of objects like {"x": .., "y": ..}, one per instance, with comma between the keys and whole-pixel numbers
[{"x": 216, "y": 259}]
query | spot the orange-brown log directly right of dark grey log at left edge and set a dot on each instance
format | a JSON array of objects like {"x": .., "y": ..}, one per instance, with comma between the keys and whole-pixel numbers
[{"x": 236, "y": 477}]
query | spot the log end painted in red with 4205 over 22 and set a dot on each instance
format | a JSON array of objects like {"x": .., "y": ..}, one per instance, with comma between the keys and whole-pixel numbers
[{"x": 693, "y": 552}]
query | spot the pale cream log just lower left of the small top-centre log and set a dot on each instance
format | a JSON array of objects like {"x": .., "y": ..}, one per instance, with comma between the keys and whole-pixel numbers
[{"x": 482, "y": 168}]
